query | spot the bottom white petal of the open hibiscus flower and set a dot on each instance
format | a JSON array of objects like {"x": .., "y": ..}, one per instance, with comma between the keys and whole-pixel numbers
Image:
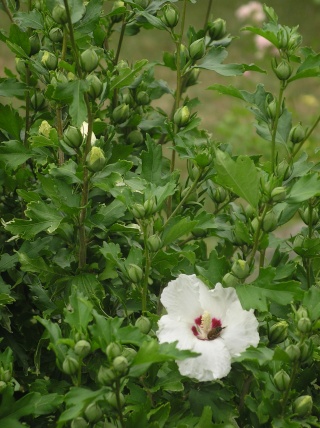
[{"x": 213, "y": 363}]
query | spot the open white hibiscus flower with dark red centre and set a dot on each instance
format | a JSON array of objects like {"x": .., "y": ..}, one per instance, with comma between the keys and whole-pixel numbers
[{"x": 209, "y": 322}]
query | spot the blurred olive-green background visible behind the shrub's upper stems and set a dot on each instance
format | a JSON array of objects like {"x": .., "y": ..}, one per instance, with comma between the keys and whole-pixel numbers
[{"x": 227, "y": 119}]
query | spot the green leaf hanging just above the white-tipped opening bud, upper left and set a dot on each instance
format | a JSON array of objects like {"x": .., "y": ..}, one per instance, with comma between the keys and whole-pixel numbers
[{"x": 73, "y": 94}]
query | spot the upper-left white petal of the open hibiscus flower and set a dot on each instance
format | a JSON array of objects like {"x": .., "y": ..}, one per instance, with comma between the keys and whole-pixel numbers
[{"x": 181, "y": 297}]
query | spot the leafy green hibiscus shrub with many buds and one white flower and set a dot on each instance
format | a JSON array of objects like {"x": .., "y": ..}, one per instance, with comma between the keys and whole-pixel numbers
[{"x": 131, "y": 296}]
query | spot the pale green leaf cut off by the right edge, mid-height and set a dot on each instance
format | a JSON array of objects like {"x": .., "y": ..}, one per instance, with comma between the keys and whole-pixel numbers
[{"x": 305, "y": 188}]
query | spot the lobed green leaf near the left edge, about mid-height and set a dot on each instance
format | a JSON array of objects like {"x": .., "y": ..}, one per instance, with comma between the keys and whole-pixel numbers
[{"x": 42, "y": 217}]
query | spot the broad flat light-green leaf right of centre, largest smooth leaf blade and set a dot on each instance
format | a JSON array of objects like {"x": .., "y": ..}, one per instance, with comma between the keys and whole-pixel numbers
[{"x": 240, "y": 176}]
